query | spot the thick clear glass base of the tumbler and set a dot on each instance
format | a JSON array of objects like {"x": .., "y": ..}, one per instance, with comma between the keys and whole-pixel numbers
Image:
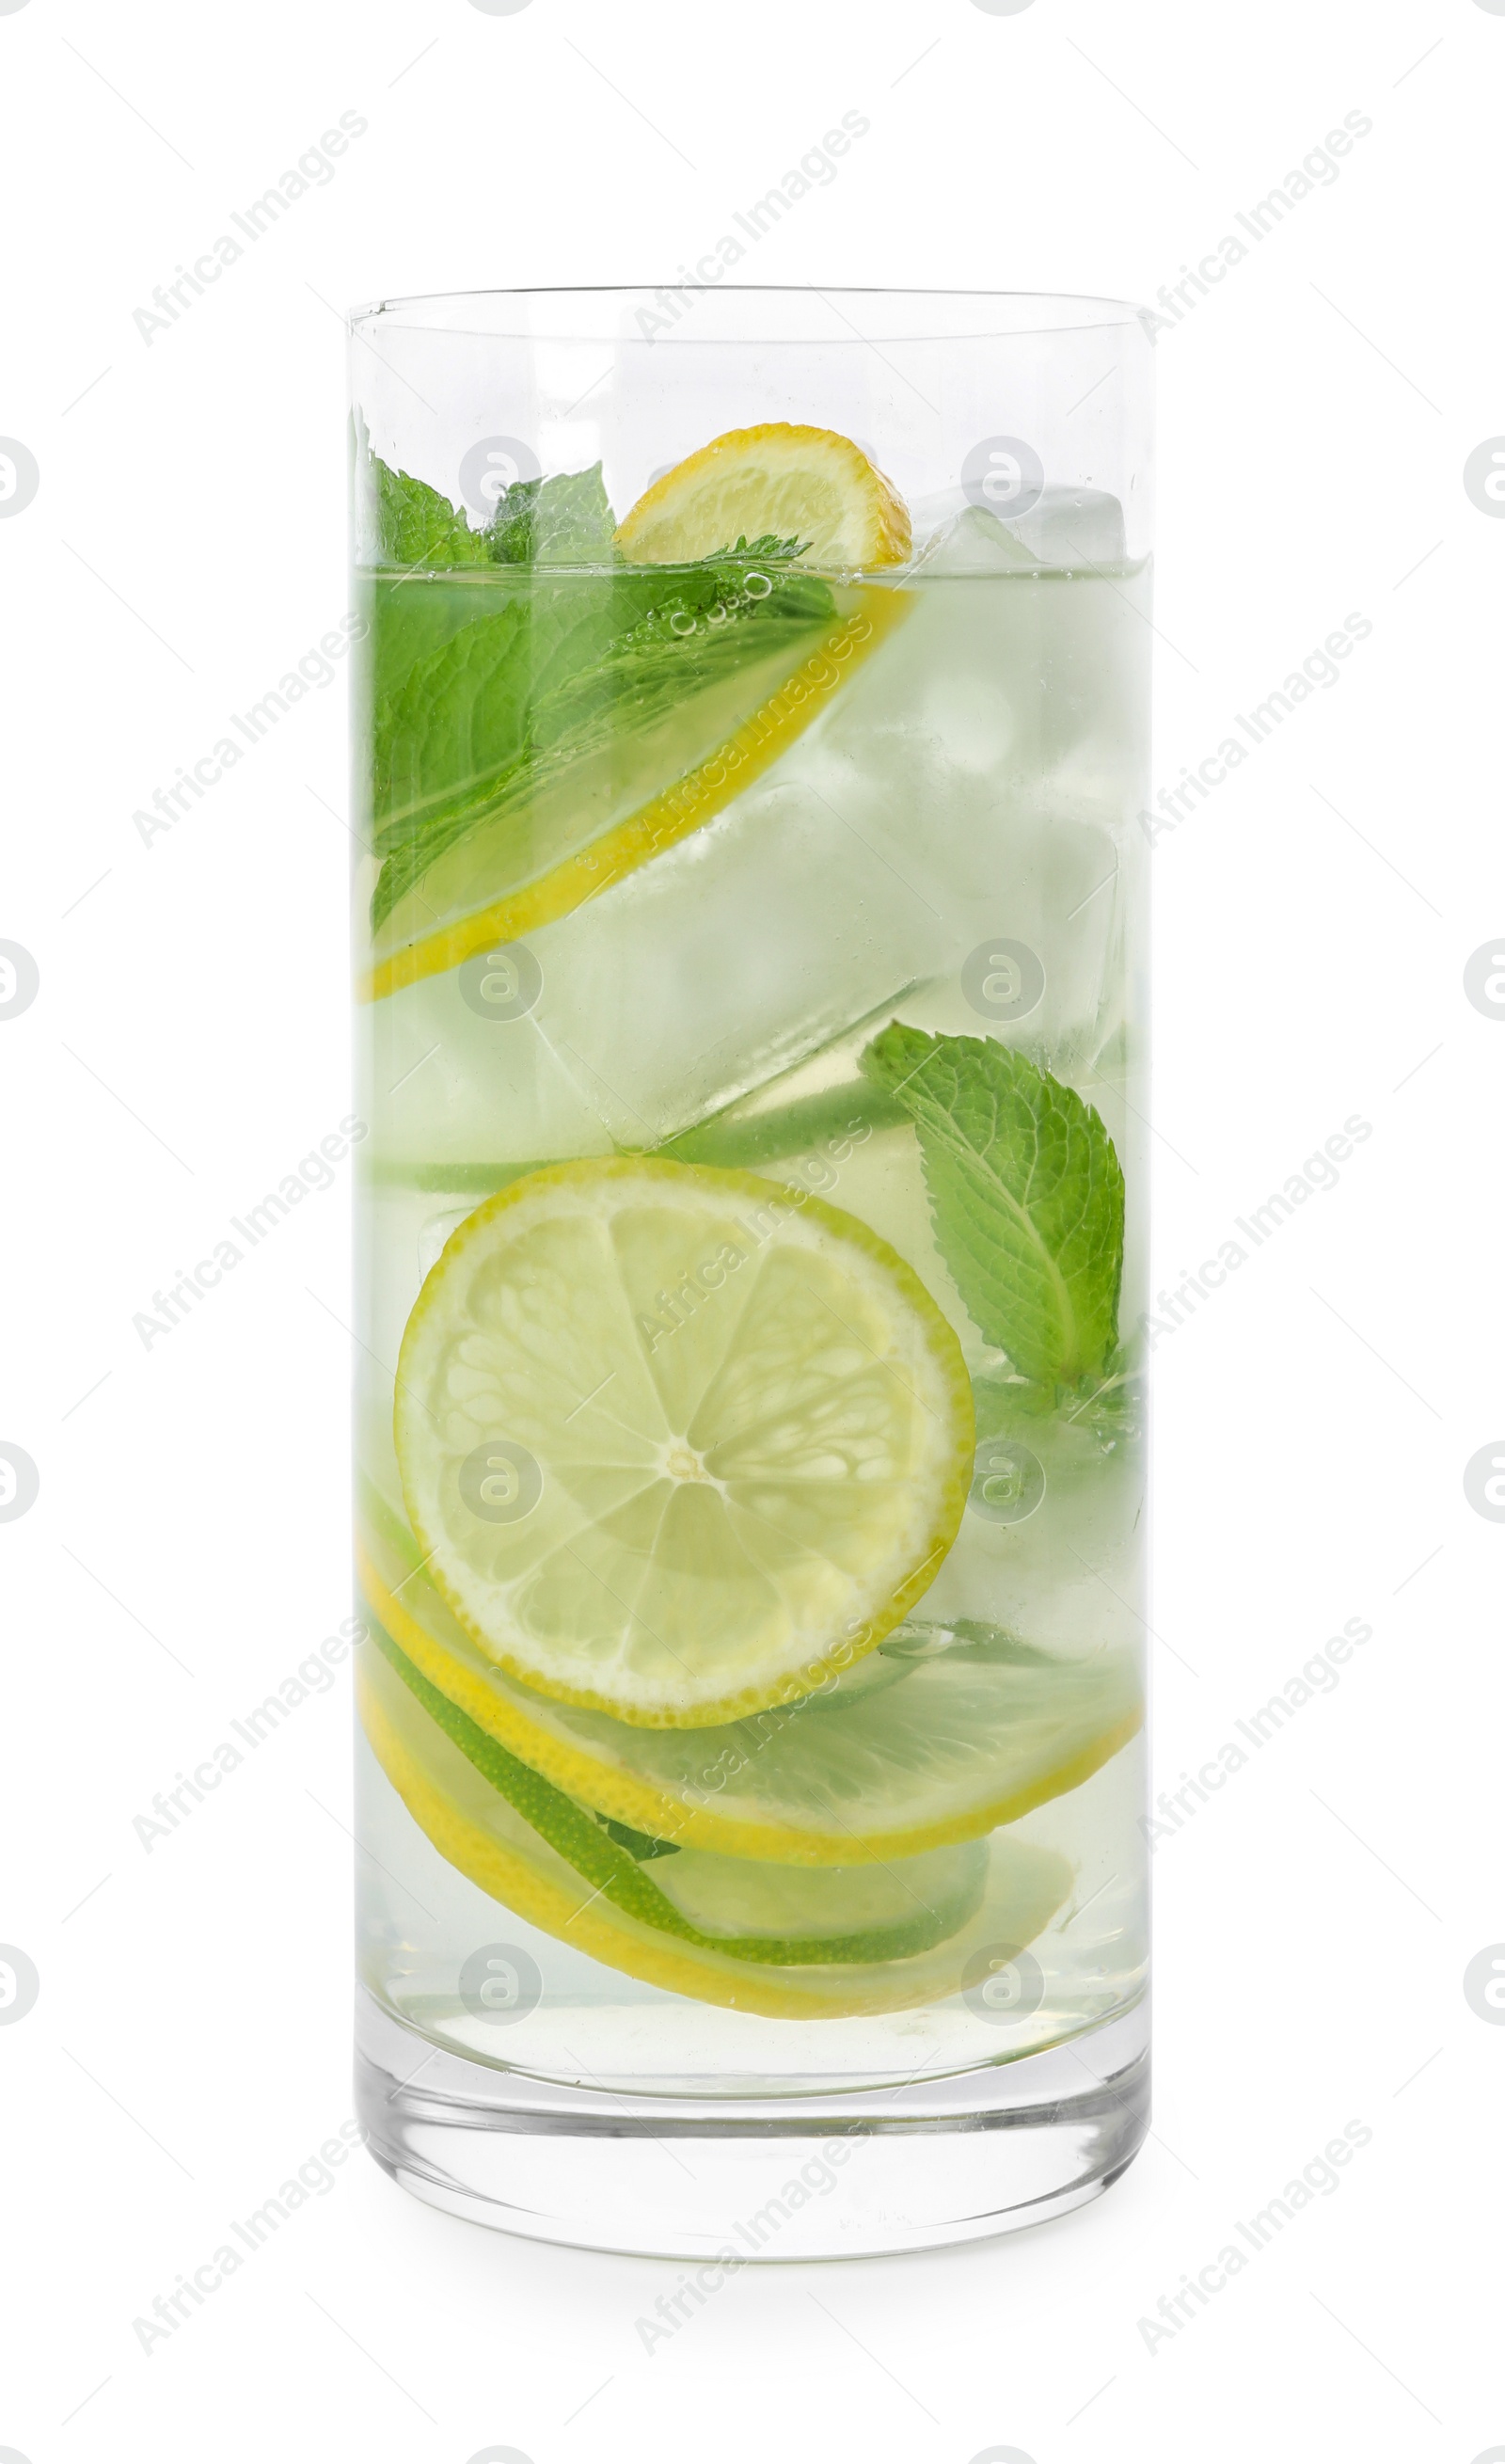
[{"x": 735, "y": 2179}]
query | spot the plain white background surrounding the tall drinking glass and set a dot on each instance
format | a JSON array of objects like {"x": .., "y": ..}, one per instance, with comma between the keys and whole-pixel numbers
[{"x": 186, "y": 546}]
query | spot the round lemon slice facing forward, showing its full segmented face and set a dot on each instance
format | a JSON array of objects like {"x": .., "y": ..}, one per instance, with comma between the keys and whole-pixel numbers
[{"x": 679, "y": 1443}]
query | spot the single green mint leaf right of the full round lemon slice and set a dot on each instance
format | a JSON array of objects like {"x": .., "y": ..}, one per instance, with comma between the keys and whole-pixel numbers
[{"x": 1026, "y": 1196}]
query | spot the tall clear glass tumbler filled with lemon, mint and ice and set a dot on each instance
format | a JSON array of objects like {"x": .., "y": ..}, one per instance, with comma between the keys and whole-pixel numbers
[{"x": 750, "y": 1440}]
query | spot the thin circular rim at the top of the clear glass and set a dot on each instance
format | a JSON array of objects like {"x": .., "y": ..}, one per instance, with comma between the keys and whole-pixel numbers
[{"x": 420, "y": 312}]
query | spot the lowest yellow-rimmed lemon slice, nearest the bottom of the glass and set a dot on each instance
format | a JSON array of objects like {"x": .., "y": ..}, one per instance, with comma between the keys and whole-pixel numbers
[{"x": 479, "y": 1832}]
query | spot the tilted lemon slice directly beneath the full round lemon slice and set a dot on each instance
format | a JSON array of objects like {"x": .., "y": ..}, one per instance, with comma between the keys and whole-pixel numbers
[{"x": 947, "y": 1746}]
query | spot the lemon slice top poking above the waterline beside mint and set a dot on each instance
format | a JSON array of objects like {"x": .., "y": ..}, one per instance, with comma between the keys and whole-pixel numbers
[{"x": 777, "y": 482}]
